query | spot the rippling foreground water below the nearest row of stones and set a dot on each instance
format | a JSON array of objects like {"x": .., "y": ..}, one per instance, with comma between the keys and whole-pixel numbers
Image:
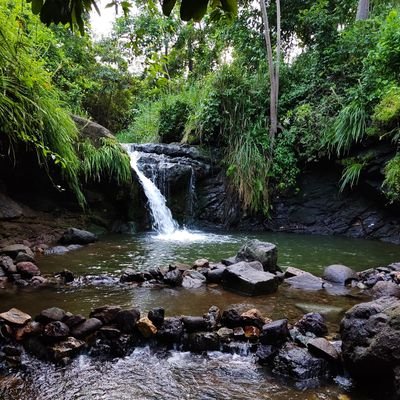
[{"x": 170, "y": 376}]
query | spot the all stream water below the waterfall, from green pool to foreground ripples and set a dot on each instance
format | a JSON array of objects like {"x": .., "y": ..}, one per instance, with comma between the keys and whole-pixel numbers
[{"x": 145, "y": 375}]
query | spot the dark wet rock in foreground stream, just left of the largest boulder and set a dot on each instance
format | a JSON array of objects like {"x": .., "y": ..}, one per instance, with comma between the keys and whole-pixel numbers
[{"x": 297, "y": 363}]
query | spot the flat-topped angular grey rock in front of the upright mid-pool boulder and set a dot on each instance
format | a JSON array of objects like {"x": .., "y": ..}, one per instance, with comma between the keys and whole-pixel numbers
[{"x": 244, "y": 279}]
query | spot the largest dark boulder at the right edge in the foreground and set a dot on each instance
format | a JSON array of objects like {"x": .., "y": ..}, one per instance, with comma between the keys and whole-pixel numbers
[{"x": 370, "y": 341}]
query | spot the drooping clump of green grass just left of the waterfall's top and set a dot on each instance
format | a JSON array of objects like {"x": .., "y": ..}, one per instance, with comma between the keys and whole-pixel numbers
[{"x": 105, "y": 161}]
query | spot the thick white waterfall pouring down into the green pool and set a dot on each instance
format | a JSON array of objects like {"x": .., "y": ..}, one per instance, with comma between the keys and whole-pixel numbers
[{"x": 160, "y": 213}]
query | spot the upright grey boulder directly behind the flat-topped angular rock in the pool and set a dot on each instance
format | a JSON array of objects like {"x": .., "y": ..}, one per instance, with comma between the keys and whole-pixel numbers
[{"x": 264, "y": 252}]
